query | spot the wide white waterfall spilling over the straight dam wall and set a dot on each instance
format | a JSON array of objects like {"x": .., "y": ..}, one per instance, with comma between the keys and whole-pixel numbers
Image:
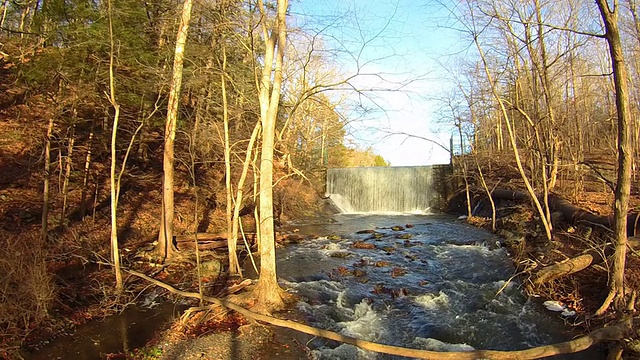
[{"x": 389, "y": 189}]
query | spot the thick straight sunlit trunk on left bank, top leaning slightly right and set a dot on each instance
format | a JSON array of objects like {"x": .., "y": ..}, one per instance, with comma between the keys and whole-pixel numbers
[{"x": 166, "y": 248}]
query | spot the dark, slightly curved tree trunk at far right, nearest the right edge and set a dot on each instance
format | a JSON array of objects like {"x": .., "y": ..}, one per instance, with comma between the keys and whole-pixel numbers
[{"x": 623, "y": 186}]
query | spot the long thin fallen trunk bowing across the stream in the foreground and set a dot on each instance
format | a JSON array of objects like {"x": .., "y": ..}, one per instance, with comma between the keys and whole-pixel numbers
[{"x": 609, "y": 333}]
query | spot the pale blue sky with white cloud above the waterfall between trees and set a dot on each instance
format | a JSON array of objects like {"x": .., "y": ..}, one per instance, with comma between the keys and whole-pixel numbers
[{"x": 393, "y": 42}]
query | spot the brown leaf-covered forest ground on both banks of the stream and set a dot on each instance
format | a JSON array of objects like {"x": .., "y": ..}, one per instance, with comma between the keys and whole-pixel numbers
[{"x": 62, "y": 282}]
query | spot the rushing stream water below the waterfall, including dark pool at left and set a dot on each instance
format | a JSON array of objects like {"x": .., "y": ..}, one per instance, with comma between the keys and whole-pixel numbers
[{"x": 434, "y": 283}]
